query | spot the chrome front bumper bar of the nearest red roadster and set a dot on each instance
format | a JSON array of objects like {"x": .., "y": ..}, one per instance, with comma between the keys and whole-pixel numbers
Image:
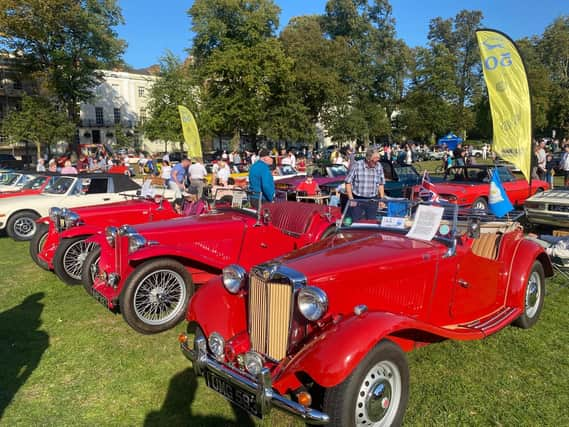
[{"x": 266, "y": 396}]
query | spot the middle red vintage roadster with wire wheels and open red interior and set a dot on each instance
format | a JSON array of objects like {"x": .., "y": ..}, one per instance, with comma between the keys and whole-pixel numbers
[{"x": 149, "y": 271}]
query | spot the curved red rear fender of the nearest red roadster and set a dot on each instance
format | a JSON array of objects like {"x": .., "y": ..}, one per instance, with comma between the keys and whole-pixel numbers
[{"x": 526, "y": 253}]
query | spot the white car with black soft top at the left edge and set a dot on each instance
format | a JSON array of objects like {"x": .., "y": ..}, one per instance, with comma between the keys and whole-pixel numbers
[{"x": 18, "y": 215}]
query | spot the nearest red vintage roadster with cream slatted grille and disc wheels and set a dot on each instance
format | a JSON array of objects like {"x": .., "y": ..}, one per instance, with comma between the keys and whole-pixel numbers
[{"x": 322, "y": 332}]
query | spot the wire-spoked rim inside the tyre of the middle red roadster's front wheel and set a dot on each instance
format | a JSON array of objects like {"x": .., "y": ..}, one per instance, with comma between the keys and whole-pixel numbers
[{"x": 159, "y": 297}]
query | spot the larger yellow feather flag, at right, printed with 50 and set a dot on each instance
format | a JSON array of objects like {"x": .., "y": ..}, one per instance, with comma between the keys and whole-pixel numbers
[{"x": 510, "y": 103}]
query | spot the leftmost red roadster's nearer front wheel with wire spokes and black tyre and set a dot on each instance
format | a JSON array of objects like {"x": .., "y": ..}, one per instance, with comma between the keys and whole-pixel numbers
[{"x": 69, "y": 258}]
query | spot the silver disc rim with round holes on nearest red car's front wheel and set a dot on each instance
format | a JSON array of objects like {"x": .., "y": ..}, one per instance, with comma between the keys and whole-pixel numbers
[{"x": 379, "y": 396}]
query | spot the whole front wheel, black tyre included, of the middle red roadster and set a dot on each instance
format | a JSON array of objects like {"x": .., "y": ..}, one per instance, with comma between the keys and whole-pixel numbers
[{"x": 155, "y": 296}]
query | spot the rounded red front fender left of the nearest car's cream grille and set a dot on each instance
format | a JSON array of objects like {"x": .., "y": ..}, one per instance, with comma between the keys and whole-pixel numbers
[{"x": 229, "y": 322}]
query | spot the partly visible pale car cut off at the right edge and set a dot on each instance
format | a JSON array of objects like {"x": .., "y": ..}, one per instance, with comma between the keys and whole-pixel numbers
[{"x": 550, "y": 208}]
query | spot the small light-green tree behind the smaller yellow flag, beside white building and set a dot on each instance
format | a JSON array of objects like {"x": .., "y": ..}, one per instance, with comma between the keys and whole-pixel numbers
[{"x": 173, "y": 88}]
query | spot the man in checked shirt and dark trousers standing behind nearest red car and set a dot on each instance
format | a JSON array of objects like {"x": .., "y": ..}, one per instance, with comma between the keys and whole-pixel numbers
[{"x": 365, "y": 181}]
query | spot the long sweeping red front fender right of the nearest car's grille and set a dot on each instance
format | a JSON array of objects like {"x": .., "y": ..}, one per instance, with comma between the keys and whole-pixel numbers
[{"x": 331, "y": 357}]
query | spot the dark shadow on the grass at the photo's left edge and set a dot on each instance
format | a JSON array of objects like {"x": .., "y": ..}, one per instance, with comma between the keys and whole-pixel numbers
[{"x": 22, "y": 345}]
